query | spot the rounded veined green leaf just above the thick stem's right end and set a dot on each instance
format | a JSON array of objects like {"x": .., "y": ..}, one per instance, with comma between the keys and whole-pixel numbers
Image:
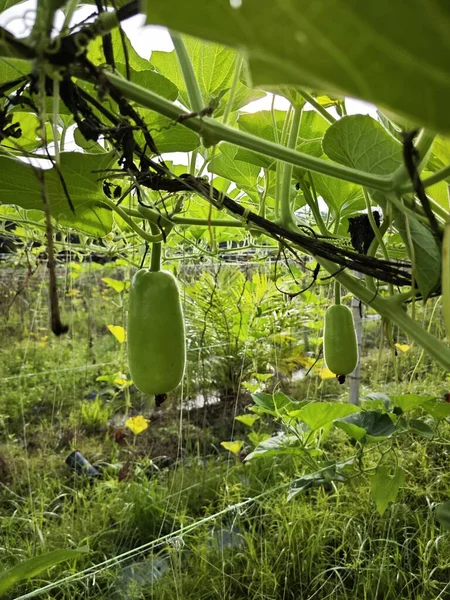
[{"x": 360, "y": 142}]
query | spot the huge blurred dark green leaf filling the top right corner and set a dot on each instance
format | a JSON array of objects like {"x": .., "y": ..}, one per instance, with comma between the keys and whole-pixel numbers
[{"x": 396, "y": 54}]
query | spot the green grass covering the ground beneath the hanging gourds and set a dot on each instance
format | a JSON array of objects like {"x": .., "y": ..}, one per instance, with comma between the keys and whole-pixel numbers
[{"x": 175, "y": 482}]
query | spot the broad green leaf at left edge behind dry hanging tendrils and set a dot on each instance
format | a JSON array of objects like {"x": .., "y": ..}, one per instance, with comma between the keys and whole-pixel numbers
[{"x": 20, "y": 186}]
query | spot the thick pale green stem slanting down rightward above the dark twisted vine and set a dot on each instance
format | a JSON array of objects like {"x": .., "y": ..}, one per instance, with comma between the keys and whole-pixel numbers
[{"x": 214, "y": 132}]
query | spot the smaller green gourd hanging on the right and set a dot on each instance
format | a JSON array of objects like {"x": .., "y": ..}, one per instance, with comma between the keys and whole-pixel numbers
[{"x": 339, "y": 340}]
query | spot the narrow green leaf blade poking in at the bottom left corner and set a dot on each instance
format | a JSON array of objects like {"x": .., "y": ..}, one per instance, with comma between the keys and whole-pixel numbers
[{"x": 34, "y": 566}]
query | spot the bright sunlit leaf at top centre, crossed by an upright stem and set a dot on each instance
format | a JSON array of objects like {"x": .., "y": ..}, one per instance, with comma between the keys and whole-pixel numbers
[{"x": 214, "y": 67}]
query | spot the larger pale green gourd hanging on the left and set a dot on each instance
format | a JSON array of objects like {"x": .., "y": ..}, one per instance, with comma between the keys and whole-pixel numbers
[{"x": 155, "y": 332}]
